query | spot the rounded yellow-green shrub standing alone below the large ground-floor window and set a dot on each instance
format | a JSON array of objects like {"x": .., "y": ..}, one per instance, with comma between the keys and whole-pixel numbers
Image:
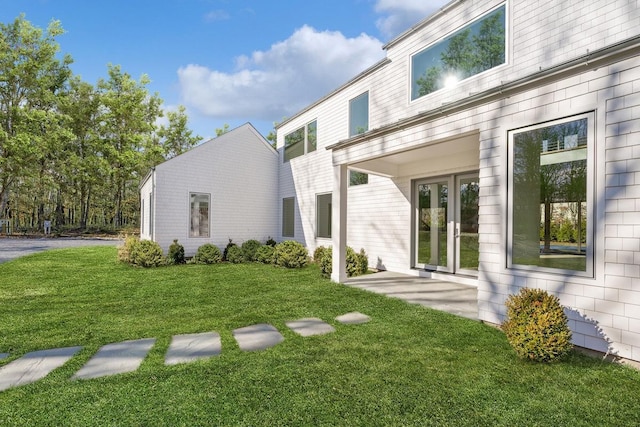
[{"x": 536, "y": 326}]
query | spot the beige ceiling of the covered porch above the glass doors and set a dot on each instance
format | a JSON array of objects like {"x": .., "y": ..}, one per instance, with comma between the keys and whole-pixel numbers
[{"x": 461, "y": 151}]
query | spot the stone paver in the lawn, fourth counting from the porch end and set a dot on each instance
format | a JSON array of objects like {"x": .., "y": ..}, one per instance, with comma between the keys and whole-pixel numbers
[{"x": 190, "y": 347}]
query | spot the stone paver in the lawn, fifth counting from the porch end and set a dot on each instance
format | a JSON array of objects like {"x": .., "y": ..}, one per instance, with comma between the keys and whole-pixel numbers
[{"x": 116, "y": 358}]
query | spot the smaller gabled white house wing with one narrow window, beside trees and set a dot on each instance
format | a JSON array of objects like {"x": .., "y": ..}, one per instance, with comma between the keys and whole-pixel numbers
[{"x": 222, "y": 189}]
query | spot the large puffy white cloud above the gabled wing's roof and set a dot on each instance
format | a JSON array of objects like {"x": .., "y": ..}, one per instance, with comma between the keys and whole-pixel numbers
[{"x": 272, "y": 84}]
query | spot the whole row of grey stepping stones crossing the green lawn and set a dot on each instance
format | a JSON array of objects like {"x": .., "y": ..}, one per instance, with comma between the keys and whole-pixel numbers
[{"x": 127, "y": 356}]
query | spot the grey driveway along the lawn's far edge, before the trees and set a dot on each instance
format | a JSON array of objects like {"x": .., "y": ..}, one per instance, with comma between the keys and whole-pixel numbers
[{"x": 11, "y": 248}]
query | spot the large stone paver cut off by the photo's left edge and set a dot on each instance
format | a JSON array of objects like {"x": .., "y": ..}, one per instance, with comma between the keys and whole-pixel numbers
[{"x": 34, "y": 366}]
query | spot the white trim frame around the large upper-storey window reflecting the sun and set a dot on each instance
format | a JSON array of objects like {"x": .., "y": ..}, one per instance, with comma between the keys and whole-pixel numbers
[{"x": 450, "y": 34}]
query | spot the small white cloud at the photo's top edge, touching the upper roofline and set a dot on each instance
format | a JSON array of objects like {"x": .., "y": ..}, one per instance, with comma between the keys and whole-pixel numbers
[{"x": 400, "y": 15}]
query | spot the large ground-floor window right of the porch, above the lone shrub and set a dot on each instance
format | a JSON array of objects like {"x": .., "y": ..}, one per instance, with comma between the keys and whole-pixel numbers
[{"x": 551, "y": 198}]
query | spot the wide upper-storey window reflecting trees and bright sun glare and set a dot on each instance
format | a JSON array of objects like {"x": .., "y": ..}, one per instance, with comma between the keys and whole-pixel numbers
[{"x": 471, "y": 50}]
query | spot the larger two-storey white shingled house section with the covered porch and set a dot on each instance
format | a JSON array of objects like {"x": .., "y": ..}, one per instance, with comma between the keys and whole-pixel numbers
[{"x": 497, "y": 145}]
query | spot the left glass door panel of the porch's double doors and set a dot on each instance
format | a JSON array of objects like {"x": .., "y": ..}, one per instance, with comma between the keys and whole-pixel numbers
[{"x": 432, "y": 221}]
